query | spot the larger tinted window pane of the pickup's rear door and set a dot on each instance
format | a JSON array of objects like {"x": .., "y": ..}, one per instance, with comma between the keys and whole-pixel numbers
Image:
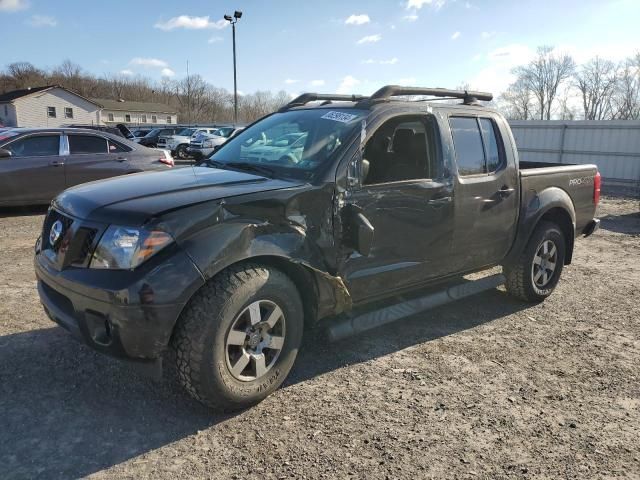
[{"x": 468, "y": 145}]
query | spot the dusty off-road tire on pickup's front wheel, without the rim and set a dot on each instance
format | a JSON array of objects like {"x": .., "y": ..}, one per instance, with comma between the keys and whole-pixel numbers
[{"x": 199, "y": 339}]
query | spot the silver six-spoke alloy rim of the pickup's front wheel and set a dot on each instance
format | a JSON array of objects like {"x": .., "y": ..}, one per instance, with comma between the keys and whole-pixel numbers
[{"x": 255, "y": 340}]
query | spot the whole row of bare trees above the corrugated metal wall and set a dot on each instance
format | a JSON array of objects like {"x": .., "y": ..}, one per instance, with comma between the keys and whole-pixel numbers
[{"x": 552, "y": 85}]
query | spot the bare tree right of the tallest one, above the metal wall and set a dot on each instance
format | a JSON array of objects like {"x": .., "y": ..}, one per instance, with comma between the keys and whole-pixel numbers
[{"x": 596, "y": 82}]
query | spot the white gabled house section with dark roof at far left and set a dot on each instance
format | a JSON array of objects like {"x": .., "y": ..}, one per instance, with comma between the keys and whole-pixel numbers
[{"x": 50, "y": 106}]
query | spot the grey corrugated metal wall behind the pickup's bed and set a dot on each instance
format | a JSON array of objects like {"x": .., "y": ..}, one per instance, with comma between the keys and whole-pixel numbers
[{"x": 612, "y": 145}]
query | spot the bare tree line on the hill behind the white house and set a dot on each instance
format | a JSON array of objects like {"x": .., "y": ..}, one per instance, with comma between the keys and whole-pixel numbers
[{"x": 195, "y": 100}]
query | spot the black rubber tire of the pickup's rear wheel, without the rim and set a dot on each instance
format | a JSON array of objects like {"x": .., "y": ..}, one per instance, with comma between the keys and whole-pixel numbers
[{"x": 520, "y": 283}]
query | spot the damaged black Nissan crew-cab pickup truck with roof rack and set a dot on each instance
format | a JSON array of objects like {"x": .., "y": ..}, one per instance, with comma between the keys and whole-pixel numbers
[{"x": 346, "y": 211}]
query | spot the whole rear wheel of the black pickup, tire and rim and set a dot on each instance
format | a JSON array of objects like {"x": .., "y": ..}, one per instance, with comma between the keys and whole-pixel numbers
[{"x": 537, "y": 271}]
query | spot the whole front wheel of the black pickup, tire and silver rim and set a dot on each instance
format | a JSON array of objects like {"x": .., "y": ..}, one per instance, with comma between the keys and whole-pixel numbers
[{"x": 238, "y": 338}]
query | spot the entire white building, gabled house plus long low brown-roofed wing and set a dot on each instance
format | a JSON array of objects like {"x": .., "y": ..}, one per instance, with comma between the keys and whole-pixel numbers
[{"x": 55, "y": 106}]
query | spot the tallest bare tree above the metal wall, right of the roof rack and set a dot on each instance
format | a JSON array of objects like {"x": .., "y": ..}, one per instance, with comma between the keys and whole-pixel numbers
[{"x": 544, "y": 75}]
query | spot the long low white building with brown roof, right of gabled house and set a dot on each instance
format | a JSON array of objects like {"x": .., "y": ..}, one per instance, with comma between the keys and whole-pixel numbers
[{"x": 135, "y": 113}]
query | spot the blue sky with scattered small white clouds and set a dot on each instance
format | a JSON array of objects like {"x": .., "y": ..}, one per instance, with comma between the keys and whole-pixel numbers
[{"x": 322, "y": 46}]
